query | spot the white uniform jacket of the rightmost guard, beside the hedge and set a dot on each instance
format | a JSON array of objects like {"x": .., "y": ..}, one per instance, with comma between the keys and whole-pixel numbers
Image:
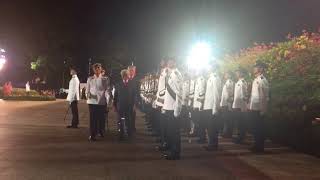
[{"x": 259, "y": 94}]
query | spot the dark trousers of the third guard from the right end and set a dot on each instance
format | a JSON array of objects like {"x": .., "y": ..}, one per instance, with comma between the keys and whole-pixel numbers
[{"x": 226, "y": 118}]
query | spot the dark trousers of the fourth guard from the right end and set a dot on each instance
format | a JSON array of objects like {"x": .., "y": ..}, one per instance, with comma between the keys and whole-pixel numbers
[{"x": 213, "y": 127}]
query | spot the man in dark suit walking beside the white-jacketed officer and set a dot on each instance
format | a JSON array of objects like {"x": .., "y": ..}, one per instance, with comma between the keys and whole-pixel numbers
[{"x": 122, "y": 105}]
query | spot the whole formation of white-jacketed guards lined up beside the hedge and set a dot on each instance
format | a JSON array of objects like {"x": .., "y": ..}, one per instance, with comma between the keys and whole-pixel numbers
[{"x": 204, "y": 103}]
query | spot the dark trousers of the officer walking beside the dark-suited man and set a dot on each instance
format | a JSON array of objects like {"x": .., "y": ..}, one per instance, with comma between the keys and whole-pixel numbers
[{"x": 97, "y": 116}]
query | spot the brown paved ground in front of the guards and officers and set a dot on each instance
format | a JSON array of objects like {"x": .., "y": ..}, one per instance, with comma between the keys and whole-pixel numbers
[{"x": 36, "y": 145}]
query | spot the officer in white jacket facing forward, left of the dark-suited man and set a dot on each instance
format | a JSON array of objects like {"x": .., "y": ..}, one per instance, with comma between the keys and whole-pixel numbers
[{"x": 97, "y": 98}]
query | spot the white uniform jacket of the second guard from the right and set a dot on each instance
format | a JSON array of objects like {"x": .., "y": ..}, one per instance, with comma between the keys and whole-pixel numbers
[{"x": 240, "y": 95}]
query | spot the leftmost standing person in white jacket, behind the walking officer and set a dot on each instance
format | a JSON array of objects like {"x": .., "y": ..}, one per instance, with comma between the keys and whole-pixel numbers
[{"x": 73, "y": 97}]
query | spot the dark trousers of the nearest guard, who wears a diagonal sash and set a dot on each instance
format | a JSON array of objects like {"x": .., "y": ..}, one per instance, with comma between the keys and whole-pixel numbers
[{"x": 173, "y": 131}]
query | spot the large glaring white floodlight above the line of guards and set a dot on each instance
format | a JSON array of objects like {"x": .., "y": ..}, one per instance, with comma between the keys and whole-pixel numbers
[{"x": 199, "y": 56}]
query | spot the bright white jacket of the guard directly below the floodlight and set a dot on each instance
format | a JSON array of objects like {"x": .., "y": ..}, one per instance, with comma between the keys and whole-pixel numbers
[{"x": 199, "y": 93}]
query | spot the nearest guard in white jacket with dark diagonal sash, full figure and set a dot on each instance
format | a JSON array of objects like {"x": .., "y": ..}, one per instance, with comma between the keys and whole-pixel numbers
[{"x": 172, "y": 107}]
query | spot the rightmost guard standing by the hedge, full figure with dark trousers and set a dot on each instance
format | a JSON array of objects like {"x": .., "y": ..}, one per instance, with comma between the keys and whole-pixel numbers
[{"x": 258, "y": 106}]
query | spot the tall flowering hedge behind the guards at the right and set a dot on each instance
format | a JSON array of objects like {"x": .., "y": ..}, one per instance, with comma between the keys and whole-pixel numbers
[{"x": 294, "y": 76}]
